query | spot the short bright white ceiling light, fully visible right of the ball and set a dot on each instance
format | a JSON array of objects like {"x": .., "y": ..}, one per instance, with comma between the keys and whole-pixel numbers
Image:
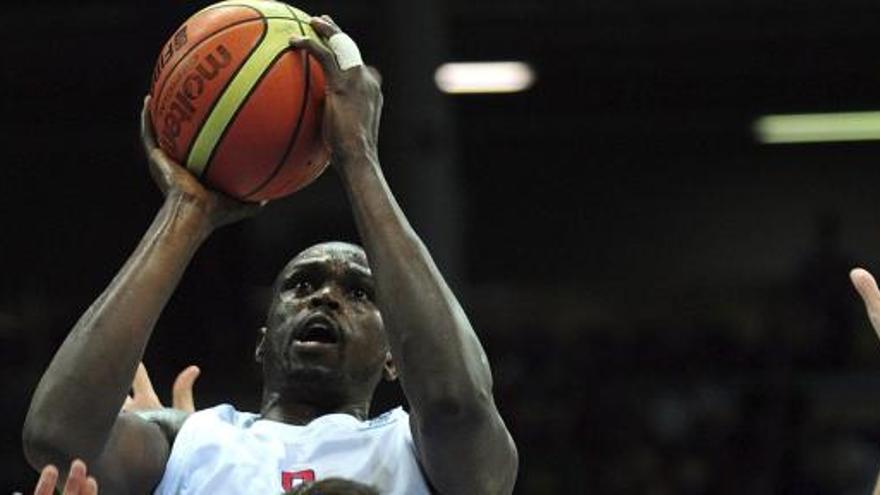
[{"x": 484, "y": 77}]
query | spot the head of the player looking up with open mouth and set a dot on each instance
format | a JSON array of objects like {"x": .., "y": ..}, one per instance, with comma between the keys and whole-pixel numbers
[{"x": 324, "y": 340}]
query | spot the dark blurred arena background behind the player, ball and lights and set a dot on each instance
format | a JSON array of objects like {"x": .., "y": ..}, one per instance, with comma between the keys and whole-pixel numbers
[{"x": 664, "y": 301}]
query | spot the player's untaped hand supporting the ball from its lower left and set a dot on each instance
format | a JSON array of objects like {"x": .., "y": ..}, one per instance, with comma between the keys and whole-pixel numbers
[{"x": 176, "y": 182}]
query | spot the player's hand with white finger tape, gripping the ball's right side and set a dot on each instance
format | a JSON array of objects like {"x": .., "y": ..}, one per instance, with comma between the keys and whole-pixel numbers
[{"x": 353, "y": 105}]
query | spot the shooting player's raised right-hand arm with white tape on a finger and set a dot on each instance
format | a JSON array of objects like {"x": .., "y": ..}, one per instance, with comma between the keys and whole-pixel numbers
[{"x": 463, "y": 443}]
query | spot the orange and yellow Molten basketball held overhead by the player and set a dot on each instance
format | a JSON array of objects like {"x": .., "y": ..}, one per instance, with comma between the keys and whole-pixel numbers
[{"x": 235, "y": 104}]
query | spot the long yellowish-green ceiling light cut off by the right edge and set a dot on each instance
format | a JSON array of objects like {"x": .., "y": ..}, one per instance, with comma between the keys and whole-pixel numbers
[{"x": 818, "y": 127}]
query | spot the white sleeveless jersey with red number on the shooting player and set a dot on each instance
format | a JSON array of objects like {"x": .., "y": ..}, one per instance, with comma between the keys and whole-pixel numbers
[{"x": 224, "y": 451}]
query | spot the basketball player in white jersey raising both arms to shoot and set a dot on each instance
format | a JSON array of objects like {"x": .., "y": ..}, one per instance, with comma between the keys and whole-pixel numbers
[{"x": 337, "y": 316}]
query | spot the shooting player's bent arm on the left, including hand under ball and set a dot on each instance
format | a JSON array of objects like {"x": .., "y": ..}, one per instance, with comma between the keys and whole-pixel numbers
[{"x": 74, "y": 412}]
